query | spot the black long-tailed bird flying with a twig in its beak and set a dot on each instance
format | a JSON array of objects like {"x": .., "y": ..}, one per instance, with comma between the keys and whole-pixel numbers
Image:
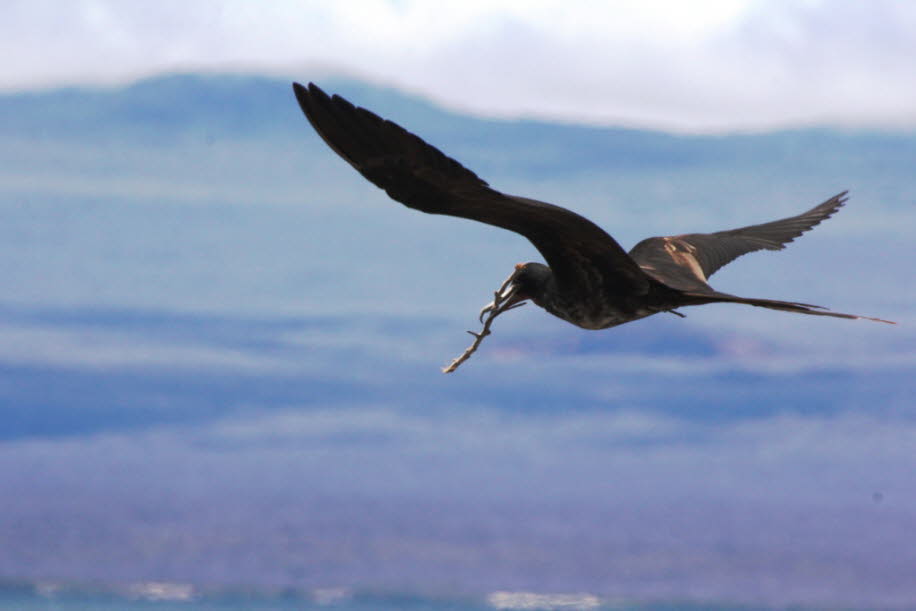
[{"x": 589, "y": 280}]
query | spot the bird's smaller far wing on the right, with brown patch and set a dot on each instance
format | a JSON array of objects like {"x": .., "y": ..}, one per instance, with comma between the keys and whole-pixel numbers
[{"x": 687, "y": 261}]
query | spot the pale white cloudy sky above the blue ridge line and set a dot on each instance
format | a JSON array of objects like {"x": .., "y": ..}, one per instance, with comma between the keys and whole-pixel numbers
[{"x": 706, "y": 65}]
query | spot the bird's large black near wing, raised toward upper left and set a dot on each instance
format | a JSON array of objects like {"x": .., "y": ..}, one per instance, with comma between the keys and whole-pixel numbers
[{"x": 423, "y": 178}]
